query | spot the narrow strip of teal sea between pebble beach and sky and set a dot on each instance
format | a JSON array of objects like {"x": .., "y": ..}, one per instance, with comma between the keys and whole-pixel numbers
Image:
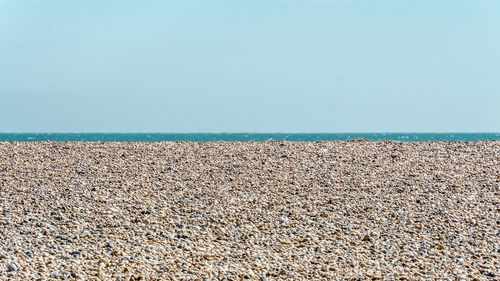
[{"x": 207, "y": 137}]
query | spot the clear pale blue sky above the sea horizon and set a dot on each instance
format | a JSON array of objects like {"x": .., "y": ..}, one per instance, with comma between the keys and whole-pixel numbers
[{"x": 249, "y": 66}]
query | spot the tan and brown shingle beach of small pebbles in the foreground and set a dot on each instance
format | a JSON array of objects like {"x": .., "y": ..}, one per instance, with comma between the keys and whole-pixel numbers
[{"x": 356, "y": 210}]
